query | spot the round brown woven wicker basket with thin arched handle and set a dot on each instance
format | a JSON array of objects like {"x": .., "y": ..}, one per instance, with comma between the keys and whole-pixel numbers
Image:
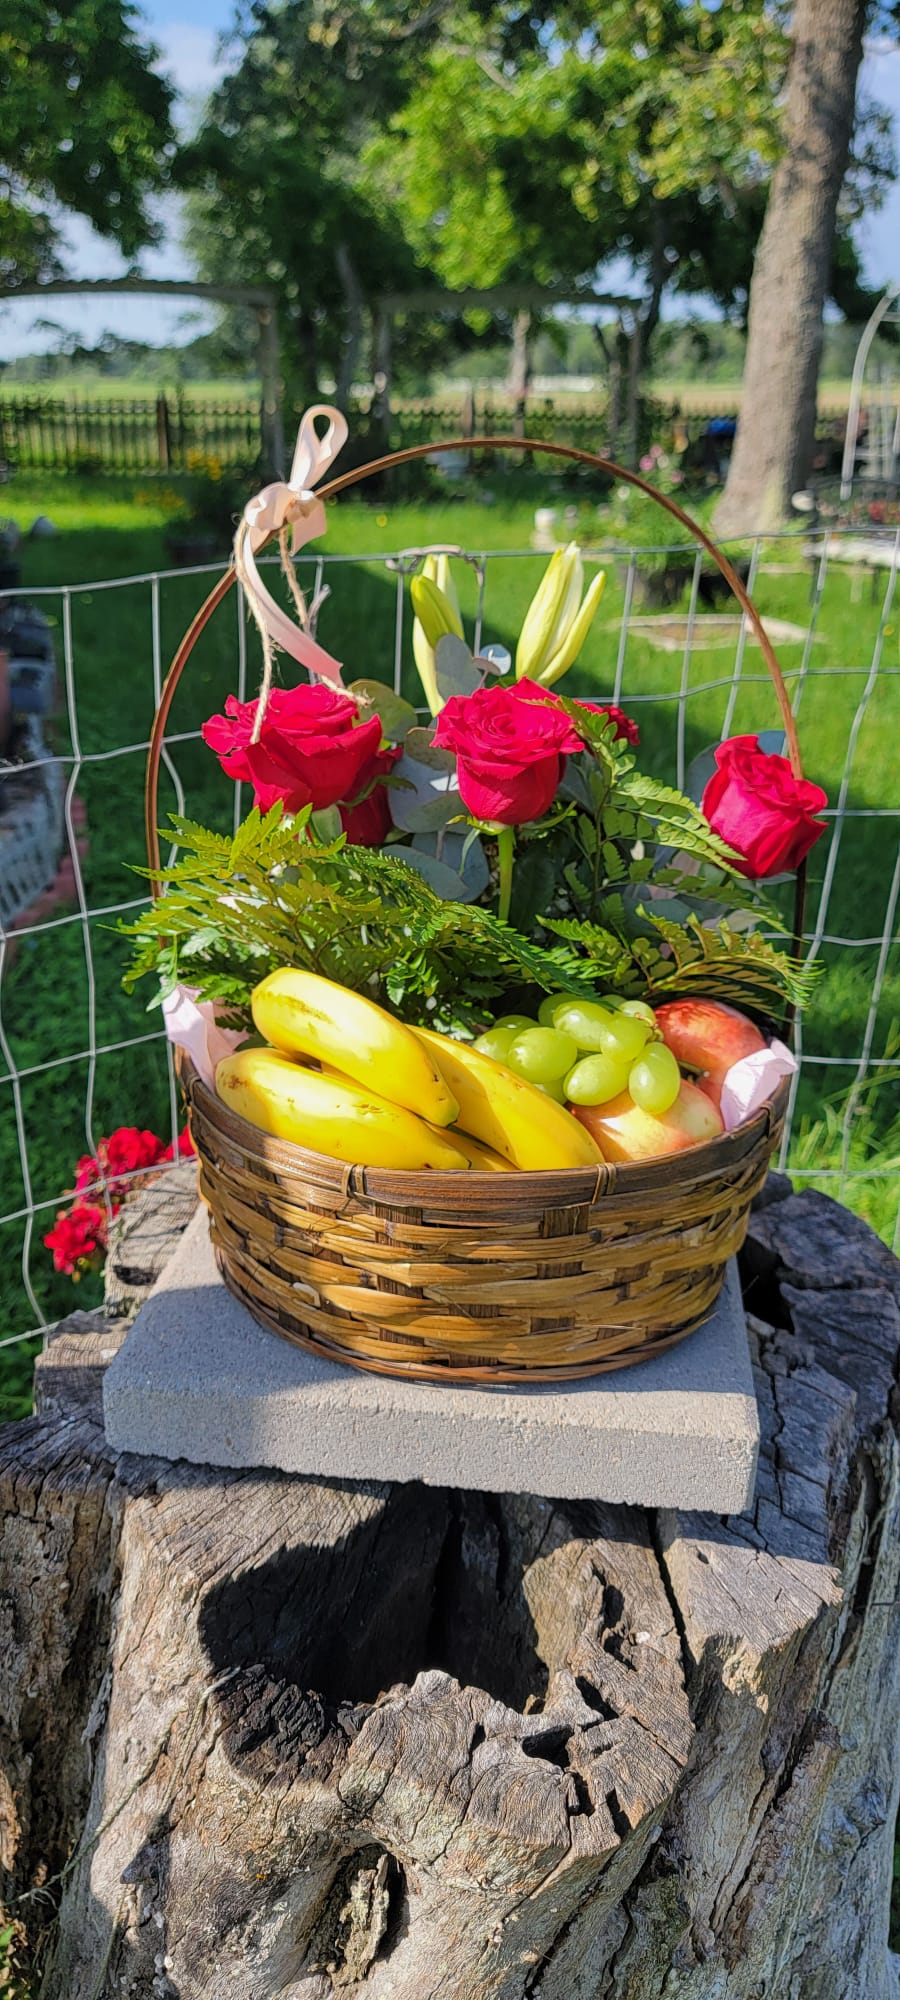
[{"x": 477, "y": 1277}]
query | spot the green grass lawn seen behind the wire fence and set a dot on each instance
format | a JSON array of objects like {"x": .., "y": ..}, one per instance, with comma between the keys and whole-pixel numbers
[{"x": 111, "y": 531}]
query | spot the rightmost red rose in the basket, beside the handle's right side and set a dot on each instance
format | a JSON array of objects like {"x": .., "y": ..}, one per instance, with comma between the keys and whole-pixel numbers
[{"x": 759, "y": 807}]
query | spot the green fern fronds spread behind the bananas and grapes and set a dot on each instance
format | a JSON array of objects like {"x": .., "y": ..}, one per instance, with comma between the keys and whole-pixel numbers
[{"x": 235, "y": 909}]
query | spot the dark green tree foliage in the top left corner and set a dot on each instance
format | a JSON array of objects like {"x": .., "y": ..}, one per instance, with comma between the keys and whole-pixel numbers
[{"x": 85, "y": 129}]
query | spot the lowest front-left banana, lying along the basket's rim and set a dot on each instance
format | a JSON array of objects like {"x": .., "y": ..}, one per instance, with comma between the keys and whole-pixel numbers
[{"x": 331, "y": 1115}]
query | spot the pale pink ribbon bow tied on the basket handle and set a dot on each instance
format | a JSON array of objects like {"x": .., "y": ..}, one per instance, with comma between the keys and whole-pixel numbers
[{"x": 291, "y": 505}]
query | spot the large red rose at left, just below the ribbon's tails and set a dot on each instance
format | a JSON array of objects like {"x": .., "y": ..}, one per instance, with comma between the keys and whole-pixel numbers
[{"x": 311, "y": 753}]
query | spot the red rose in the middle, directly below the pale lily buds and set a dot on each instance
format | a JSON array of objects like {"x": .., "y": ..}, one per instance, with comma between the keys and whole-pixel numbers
[{"x": 509, "y": 751}]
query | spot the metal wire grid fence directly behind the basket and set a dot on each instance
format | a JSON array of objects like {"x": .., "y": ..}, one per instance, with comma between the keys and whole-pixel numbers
[{"x": 79, "y": 1057}]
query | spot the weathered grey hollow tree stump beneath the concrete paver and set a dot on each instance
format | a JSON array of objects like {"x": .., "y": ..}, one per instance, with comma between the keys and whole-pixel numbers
[{"x": 287, "y": 1739}]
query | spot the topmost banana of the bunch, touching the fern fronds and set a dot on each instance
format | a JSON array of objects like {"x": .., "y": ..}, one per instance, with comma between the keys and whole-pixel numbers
[{"x": 307, "y": 1015}]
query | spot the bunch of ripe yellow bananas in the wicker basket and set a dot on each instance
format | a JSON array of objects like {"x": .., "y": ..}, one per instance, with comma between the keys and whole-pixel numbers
[{"x": 385, "y": 1095}]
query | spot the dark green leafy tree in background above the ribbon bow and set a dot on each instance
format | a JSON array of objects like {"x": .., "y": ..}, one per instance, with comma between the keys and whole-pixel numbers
[{"x": 275, "y": 175}]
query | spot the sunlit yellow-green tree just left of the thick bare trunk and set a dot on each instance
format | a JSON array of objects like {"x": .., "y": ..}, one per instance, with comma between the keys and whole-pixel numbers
[{"x": 551, "y": 141}]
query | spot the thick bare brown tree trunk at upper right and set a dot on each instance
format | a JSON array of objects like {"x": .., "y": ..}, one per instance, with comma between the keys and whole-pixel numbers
[{"x": 773, "y": 451}]
